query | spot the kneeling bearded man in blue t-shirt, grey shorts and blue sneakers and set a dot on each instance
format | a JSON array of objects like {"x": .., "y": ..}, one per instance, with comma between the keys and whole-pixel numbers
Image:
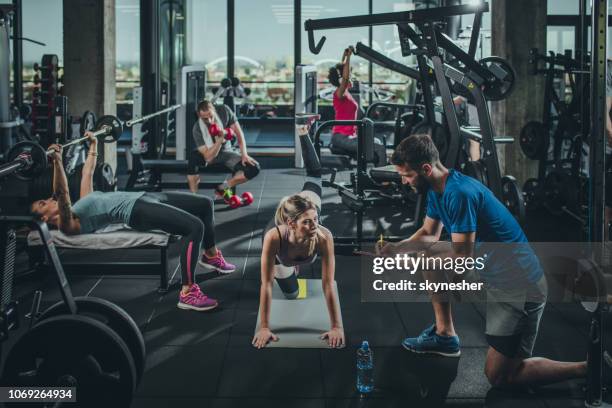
[{"x": 478, "y": 223}]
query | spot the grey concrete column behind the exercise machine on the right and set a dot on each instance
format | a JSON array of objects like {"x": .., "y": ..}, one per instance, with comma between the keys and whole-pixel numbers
[{"x": 517, "y": 26}]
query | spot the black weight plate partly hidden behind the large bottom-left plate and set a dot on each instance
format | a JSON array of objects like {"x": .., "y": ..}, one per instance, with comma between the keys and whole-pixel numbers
[{"x": 112, "y": 316}]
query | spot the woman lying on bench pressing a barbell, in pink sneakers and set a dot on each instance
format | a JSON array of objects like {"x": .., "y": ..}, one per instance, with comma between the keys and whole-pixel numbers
[{"x": 188, "y": 215}]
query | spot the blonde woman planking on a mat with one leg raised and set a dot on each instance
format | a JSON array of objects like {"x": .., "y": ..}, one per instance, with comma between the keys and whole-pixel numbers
[{"x": 293, "y": 238}]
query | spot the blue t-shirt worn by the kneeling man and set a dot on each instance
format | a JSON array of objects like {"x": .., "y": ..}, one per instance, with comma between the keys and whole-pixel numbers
[{"x": 468, "y": 206}]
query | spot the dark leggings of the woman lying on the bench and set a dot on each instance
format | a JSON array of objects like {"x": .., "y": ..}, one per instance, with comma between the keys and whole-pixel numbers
[{"x": 189, "y": 215}]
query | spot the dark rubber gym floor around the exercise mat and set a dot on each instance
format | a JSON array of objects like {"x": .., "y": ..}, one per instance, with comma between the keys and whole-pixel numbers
[{"x": 206, "y": 359}]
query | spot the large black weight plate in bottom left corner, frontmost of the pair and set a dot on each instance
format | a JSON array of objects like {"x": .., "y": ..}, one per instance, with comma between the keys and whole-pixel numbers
[{"x": 75, "y": 351}]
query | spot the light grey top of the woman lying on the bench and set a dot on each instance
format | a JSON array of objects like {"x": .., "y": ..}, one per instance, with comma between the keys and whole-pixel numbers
[{"x": 97, "y": 210}]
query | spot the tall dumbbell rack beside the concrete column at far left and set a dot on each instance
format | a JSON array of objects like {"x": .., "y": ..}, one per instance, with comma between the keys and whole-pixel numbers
[{"x": 46, "y": 88}]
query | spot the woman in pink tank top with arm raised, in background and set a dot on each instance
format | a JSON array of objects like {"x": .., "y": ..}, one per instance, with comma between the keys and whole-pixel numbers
[{"x": 345, "y": 108}]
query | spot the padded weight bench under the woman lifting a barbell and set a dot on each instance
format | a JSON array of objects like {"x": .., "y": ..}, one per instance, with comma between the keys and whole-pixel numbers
[{"x": 113, "y": 238}]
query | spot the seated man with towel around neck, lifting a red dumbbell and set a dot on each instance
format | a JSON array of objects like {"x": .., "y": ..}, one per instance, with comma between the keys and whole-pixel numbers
[{"x": 212, "y": 134}]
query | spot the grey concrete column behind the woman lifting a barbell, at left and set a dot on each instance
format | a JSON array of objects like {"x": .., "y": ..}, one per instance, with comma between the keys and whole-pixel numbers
[{"x": 90, "y": 62}]
